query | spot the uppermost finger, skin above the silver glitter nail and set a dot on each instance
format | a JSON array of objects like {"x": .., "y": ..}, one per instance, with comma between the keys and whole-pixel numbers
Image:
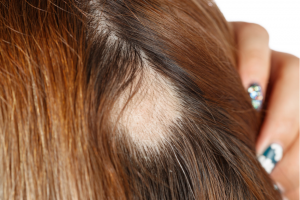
[{"x": 253, "y": 54}]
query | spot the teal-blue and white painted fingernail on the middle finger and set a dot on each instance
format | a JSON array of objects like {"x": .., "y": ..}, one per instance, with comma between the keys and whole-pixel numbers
[{"x": 271, "y": 157}]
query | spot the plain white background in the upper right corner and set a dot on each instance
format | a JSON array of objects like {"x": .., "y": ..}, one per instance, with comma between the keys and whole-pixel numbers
[{"x": 281, "y": 18}]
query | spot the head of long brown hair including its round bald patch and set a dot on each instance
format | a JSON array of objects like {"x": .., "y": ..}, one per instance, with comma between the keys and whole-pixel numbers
[{"x": 124, "y": 99}]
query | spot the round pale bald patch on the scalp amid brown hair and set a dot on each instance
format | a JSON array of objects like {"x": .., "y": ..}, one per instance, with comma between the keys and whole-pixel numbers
[{"x": 146, "y": 109}]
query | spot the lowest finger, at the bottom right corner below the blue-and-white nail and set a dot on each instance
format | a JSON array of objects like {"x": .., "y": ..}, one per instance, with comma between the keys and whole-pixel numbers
[{"x": 286, "y": 173}]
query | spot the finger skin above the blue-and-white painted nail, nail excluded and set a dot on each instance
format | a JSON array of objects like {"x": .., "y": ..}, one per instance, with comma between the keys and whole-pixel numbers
[{"x": 282, "y": 119}]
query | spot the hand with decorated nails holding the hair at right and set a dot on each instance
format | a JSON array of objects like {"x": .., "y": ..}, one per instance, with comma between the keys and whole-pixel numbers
[{"x": 278, "y": 75}]
